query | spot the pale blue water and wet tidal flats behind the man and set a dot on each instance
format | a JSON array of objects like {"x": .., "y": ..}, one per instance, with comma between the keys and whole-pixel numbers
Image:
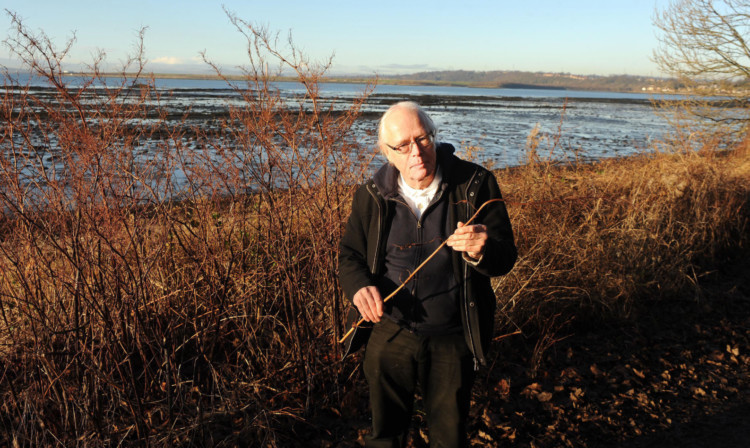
[{"x": 588, "y": 125}]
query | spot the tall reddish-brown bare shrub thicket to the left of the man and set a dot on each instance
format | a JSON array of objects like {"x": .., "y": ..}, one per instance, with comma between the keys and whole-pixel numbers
[{"x": 183, "y": 293}]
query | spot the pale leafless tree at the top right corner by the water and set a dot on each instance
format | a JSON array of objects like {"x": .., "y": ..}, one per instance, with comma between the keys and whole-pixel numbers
[{"x": 703, "y": 46}]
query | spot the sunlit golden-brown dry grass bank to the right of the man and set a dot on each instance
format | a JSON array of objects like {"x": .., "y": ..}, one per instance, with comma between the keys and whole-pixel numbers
[{"x": 598, "y": 239}]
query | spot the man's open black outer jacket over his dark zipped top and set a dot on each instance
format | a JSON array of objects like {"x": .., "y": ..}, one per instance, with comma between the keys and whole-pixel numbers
[{"x": 362, "y": 248}]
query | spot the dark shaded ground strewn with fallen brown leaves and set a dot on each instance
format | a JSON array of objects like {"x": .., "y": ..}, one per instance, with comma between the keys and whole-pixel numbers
[{"x": 676, "y": 373}]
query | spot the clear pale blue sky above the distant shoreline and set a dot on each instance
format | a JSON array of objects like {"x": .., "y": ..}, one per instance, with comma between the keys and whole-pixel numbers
[{"x": 601, "y": 37}]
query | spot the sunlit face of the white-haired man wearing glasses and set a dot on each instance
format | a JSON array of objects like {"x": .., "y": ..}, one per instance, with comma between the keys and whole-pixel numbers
[{"x": 417, "y": 165}]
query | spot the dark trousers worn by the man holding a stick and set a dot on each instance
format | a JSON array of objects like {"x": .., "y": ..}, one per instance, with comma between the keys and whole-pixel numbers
[{"x": 396, "y": 361}]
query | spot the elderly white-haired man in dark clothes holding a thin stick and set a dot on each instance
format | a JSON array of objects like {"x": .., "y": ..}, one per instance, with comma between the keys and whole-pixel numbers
[{"x": 434, "y": 333}]
